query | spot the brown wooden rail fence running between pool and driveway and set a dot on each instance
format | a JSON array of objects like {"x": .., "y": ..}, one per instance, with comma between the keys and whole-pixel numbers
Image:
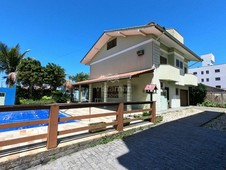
[{"x": 53, "y": 121}]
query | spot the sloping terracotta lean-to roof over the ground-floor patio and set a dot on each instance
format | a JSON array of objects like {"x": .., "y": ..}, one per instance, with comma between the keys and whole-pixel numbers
[{"x": 114, "y": 77}]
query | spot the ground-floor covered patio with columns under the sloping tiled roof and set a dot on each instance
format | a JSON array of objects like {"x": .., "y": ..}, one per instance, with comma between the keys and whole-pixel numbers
[{"x": 123, "y": 87}]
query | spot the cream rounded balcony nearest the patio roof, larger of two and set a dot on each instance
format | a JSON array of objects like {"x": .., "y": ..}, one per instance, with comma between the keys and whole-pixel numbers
[{"x": 168, "y": 73}]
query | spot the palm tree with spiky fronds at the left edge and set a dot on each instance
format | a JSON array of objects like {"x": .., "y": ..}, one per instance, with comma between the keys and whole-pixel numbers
[{"x": 9, "y": 60}]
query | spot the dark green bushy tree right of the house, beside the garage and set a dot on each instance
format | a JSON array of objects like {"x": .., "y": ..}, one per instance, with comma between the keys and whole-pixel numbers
[{"x": 198, "y": 94}]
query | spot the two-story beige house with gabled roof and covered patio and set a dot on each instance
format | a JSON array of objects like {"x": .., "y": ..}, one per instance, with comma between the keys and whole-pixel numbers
[{"x": 124, "y": 61}]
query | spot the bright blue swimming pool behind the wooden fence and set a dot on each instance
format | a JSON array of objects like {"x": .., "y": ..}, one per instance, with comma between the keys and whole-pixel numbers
[{"x": 28, "y": 115}]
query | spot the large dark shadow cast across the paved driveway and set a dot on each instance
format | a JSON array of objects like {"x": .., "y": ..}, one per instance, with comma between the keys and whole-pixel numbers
[{"x": 181, "y": 144}]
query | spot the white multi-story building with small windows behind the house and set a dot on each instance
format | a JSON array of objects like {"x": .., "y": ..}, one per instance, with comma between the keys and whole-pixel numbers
[{"x": 210, "y": 74}]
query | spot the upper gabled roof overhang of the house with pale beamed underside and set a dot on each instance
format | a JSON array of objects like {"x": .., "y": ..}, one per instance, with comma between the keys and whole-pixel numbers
[{"x": 152, "y": 28}]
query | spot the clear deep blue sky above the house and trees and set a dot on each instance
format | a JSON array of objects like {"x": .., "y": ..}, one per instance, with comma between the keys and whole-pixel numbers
[{"x": 62, "y": 31}]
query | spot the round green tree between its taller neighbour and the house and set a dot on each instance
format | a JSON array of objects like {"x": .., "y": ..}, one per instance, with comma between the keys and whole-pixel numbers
[{"x": 54, "y": 75}]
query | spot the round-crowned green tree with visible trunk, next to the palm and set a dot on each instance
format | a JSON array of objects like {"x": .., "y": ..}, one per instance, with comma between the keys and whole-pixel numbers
[{"x": 30, "y": 73}]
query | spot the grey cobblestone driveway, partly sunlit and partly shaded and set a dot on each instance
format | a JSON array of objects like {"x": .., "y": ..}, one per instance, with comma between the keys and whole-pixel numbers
[{"x": 181, "y": 144}]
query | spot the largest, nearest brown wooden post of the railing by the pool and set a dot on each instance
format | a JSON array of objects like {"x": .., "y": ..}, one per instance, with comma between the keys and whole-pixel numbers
[{"x": 53, "y": 126}]
